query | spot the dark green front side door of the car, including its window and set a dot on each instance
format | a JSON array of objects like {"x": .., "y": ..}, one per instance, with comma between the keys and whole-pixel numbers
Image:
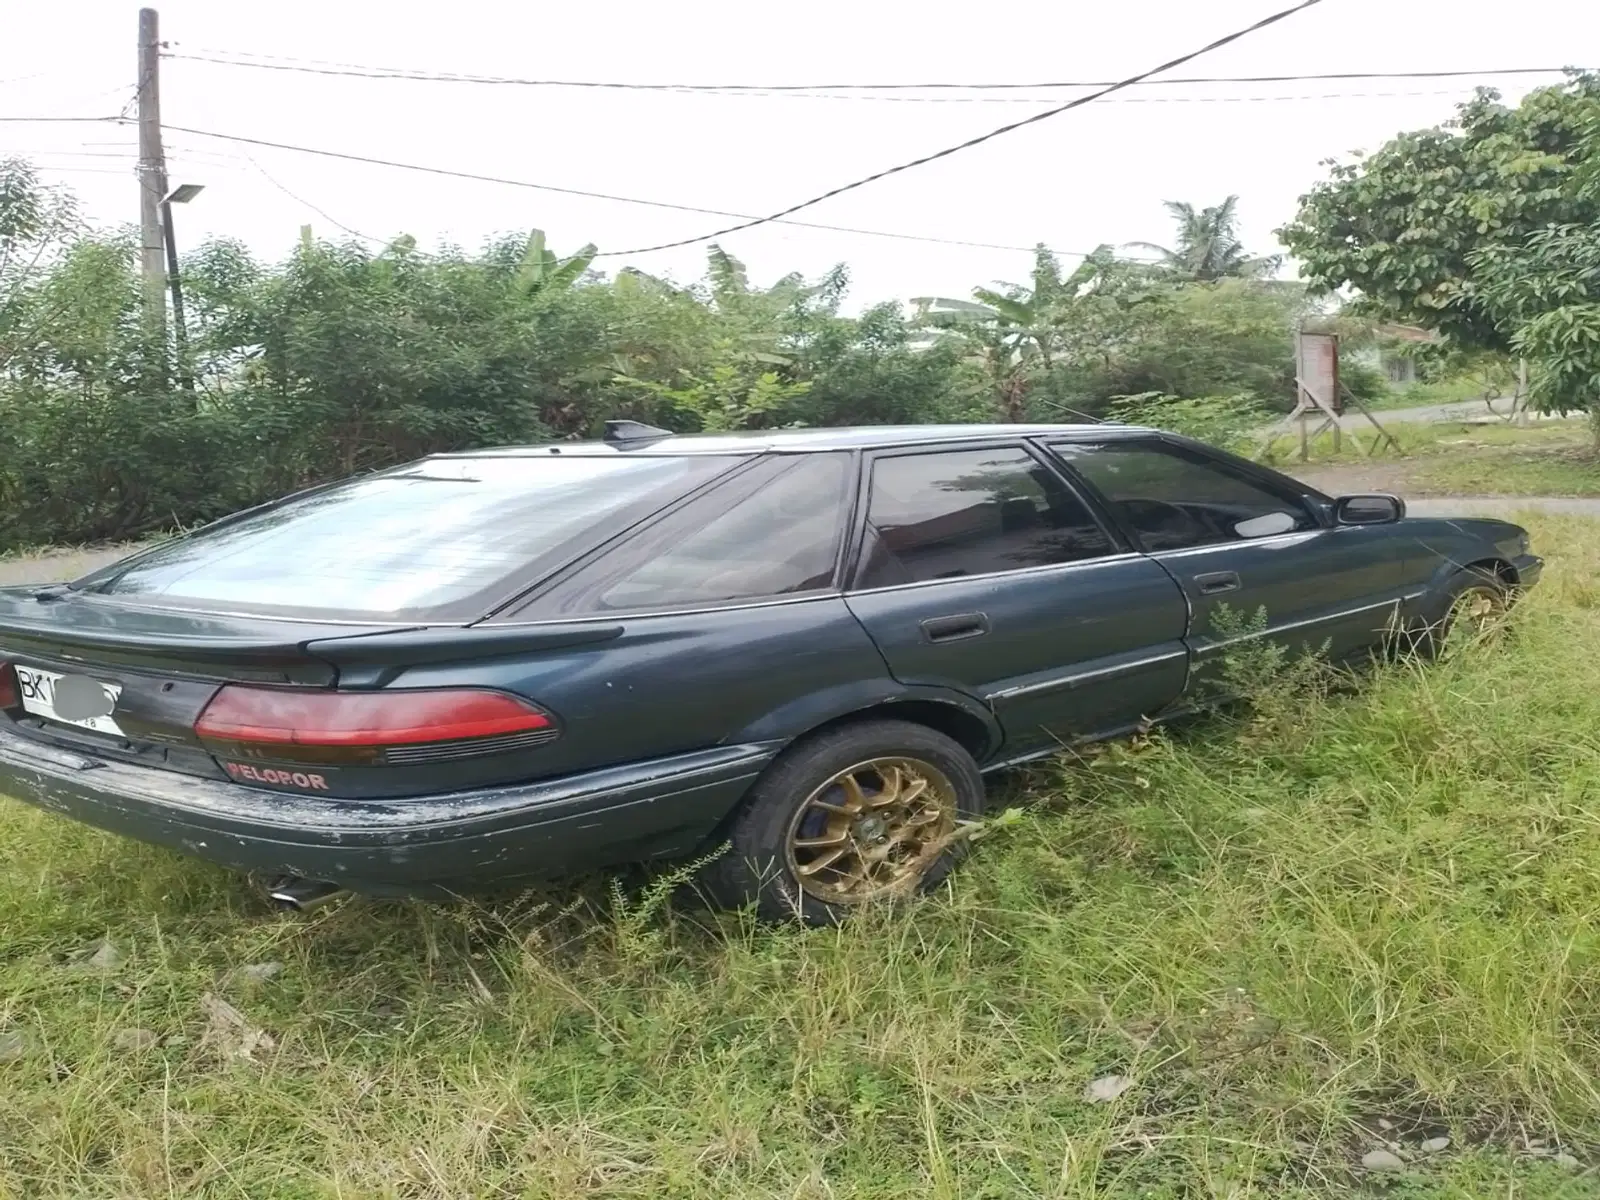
[{"x": 1247, "y": 540}]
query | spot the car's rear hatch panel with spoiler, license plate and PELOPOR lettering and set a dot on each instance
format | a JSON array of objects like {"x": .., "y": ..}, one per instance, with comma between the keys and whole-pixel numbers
[{"x": 154, "y": 671}]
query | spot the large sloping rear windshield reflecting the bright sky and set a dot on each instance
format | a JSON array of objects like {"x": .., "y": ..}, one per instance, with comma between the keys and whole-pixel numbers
[{"x": 444, "y": 540}]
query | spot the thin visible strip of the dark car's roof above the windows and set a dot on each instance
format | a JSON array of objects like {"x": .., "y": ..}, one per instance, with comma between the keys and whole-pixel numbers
[{"x": 790, "y": 441}]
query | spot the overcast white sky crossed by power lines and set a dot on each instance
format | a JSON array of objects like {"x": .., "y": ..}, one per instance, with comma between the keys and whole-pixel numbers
[{"x": 1094, "y": 175}]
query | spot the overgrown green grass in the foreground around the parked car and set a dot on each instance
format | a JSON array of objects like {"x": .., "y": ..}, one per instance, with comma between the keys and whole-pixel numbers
[{"x": 1345, "y": 919}]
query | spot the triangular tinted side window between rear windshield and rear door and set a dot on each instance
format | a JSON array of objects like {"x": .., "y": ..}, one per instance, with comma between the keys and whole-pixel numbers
[{"x": 770, "y": 532}]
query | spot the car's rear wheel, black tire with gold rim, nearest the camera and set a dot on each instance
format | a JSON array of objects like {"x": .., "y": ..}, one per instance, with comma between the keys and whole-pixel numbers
[{"x": 761, "y": 866}]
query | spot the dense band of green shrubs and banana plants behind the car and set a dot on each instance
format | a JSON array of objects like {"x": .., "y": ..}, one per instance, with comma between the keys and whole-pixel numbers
[{"x": 345, "y": 359}]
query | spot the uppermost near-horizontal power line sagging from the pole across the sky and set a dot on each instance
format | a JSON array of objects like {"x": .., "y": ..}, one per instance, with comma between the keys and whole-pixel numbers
[{"x": 358, "y": 71}]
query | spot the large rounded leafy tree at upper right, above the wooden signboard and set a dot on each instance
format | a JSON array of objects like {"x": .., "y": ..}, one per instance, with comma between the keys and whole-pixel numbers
[{"x": 1409, "y": 226}]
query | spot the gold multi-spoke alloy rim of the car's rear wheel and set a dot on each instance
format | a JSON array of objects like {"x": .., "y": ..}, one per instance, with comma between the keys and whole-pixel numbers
[{"x": 871, "y": 831}]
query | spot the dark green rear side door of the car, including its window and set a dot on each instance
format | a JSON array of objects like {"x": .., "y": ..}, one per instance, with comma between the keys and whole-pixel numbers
[{"x": 982, "y": 569}]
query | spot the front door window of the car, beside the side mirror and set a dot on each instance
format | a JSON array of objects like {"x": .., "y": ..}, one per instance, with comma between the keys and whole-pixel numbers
[{"x": 1177, "y": 498}]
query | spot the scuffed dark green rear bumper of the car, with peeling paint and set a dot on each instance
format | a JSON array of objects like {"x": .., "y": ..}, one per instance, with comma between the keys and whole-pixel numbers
[{"x": 418, "y": 847}]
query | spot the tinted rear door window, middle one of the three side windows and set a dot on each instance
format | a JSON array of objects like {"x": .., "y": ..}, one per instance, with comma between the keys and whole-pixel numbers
[{"x": 972, "y": 513}]
